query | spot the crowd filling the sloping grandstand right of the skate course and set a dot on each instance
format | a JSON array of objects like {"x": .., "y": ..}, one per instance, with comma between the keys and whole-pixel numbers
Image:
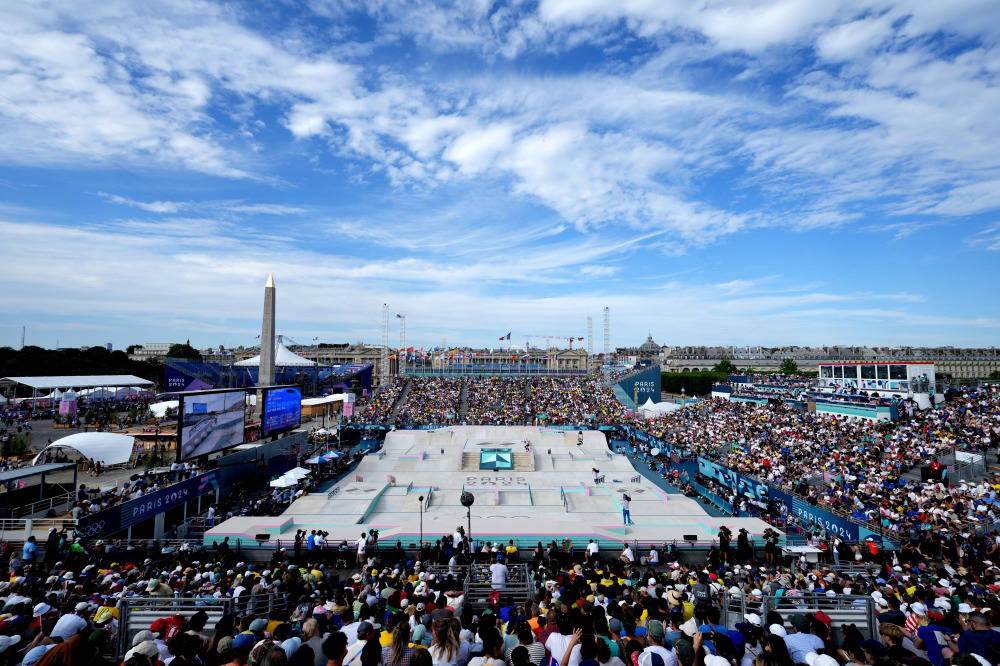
[{"x": 849, "y": 465}]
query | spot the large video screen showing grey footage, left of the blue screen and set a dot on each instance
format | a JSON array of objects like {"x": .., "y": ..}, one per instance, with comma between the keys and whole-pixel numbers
[{"x": 211, "y": 421}]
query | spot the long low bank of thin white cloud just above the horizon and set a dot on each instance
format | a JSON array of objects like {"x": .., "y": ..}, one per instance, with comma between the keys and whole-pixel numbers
[{"x": 132, "y": 277}]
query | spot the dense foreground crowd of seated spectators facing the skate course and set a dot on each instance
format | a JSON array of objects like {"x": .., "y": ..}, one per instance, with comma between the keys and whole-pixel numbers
[{"x": 584, "y": 608}]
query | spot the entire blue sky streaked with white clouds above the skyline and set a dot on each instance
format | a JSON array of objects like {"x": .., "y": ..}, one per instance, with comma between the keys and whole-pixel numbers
[{"x": 744, "y": 172}]
